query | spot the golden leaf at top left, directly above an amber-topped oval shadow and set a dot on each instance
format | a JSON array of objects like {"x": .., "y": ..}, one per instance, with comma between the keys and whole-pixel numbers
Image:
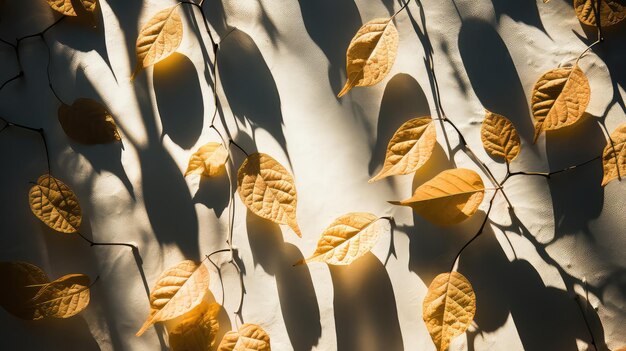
[{"x": 158, "y": 38}]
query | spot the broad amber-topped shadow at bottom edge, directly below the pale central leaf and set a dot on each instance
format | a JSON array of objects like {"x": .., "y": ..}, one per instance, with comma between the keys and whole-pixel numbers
[{"x": 366, "y": 315}]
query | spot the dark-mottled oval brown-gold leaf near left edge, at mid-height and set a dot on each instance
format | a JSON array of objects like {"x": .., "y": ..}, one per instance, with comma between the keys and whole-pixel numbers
[{"x": 55, "y": 204}]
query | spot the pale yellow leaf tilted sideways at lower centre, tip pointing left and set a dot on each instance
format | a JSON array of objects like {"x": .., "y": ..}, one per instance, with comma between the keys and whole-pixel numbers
[{"x": 347, "y": 238}]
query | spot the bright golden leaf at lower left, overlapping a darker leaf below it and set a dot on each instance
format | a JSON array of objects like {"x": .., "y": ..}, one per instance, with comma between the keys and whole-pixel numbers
[{"x": 177, "y": 291}]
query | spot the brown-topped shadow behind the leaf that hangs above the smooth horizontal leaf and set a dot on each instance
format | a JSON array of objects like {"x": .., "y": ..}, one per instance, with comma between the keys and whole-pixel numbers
[{"x": 403, "y": 99}]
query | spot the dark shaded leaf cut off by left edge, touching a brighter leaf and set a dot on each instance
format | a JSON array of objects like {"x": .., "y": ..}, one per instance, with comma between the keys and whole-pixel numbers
[{"x": 21, "y": 282}]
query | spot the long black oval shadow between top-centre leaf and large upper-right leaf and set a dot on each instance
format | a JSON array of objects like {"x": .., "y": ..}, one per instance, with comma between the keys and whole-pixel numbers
[{"x": 493, "y": 75}]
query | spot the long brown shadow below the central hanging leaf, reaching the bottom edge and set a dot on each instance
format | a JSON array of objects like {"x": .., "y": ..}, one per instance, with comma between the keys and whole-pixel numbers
[{"x": 298, "y": 302}]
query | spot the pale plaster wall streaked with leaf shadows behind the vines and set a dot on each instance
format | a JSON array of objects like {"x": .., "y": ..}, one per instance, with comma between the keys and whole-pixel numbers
[{"x": 280, "y": 70}]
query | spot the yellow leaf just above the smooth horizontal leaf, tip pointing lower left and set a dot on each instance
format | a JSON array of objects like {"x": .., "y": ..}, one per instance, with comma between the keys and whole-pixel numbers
[{"x": 409, "y": 148}]
